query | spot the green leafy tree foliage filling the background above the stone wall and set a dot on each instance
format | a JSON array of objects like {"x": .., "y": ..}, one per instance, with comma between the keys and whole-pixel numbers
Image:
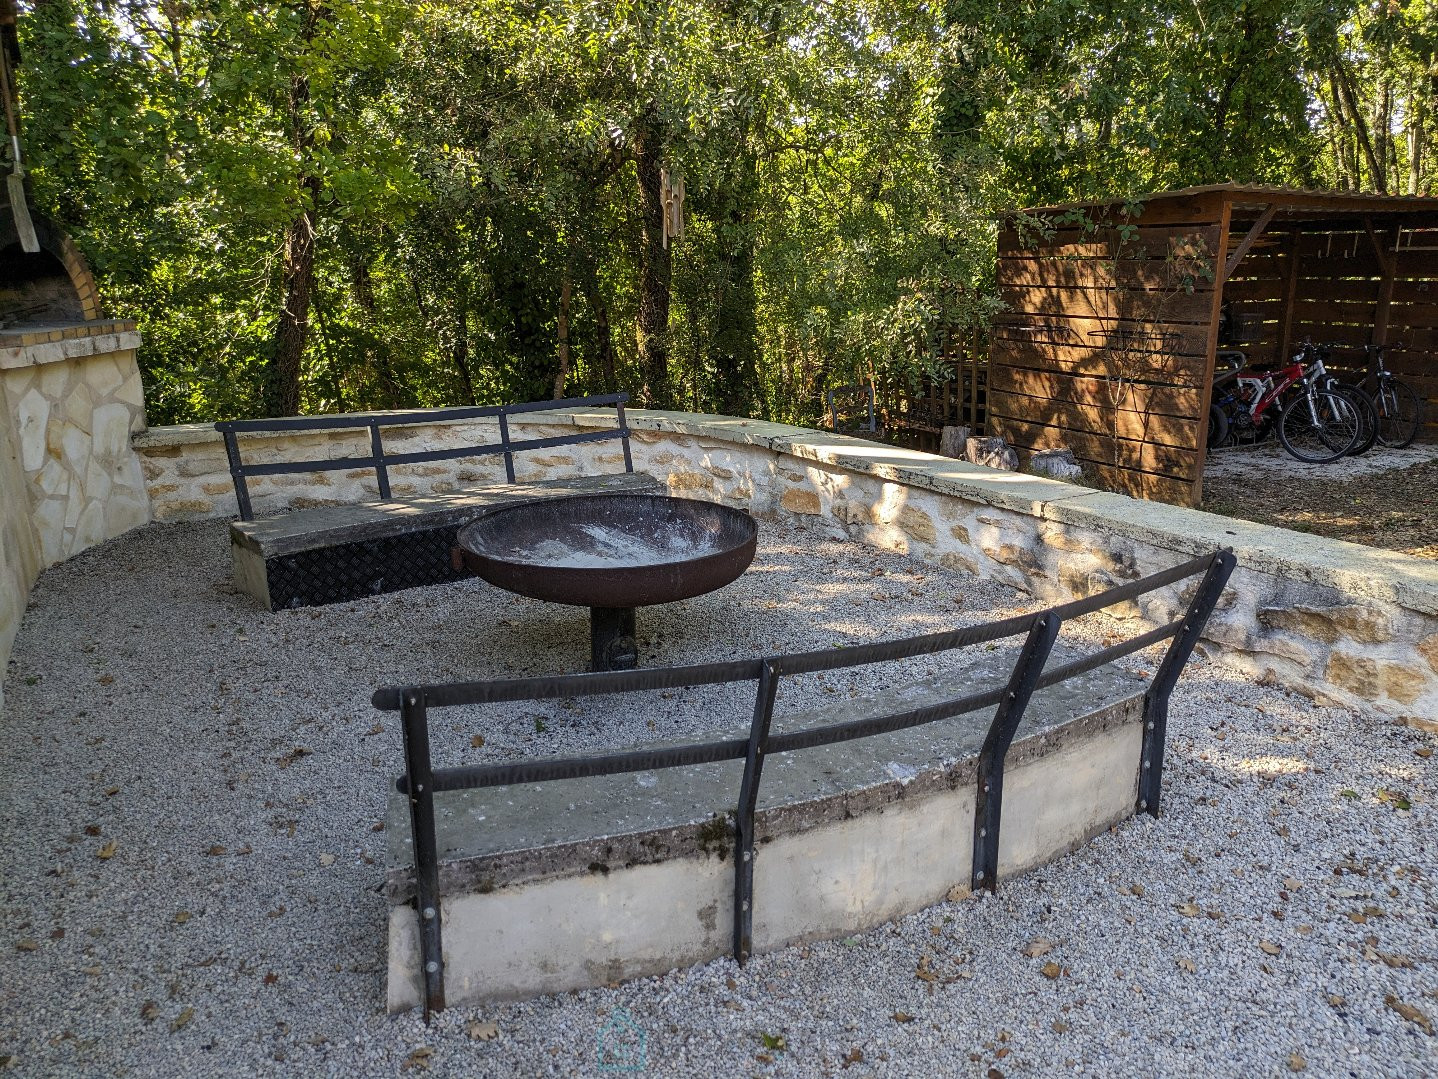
[{"x": 472, "y": 165}]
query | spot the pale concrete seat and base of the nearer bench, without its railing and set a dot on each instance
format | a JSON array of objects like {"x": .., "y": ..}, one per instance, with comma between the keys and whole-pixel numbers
[{"x": 577, "y": 884}]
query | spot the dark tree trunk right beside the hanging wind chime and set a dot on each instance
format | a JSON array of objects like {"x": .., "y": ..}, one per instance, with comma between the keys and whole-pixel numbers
[{"x": 652, "y": 329}]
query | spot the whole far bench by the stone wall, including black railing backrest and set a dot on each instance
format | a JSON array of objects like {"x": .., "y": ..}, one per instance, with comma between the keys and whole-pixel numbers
[{"x": 337, "y": 553}]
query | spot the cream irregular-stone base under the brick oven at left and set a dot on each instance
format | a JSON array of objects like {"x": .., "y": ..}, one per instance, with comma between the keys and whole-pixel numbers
[{"x": 70, "y": 477}]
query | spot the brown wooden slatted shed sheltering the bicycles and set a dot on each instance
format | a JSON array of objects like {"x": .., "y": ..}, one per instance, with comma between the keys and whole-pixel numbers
[{"x": 1114, "y": 314}]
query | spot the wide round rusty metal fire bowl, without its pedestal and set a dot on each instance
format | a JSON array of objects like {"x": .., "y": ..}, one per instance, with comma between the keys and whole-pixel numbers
[{"x": 668, "y": 549}]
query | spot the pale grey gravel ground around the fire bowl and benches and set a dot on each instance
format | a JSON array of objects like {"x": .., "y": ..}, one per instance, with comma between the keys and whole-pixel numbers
[{"x": 182, "y": 896}]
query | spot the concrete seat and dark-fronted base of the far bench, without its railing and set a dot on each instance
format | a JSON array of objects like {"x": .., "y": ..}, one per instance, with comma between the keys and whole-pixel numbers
[{"x": 333, "y": 555}]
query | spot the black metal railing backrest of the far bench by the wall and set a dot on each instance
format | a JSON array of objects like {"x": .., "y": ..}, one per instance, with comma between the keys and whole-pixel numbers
[{"x": 380, "y": 461}]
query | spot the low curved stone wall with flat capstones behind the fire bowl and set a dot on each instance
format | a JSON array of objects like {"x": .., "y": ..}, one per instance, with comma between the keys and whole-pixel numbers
[{"x": 1324, "y": 618}]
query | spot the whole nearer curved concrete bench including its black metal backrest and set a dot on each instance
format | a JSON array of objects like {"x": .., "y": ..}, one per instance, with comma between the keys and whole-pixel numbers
[{"x": 556, "y": 874}]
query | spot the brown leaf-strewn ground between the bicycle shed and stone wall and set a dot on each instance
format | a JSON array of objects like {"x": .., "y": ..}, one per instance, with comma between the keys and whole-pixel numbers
[{"x": 1360, "y": 501}]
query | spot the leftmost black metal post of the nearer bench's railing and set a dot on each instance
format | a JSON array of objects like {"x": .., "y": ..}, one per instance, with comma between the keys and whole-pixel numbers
[{"x": 415, "y": 723}]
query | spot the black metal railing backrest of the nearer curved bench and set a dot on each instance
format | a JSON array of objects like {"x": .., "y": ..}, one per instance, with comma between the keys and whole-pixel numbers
[{"x": 422, "y": 780}]
